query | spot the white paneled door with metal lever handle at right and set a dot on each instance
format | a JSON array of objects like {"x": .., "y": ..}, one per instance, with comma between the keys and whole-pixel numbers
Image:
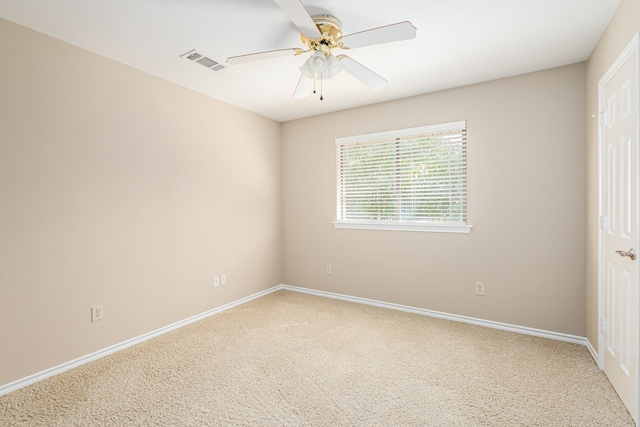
[{"x": 619, "y": 204}]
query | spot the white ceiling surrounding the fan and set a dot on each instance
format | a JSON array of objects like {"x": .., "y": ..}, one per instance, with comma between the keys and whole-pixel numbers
[{"x": 459, "y": 42}]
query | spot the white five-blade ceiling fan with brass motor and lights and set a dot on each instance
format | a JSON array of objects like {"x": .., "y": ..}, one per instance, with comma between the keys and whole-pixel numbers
[{"x": 321, "y": 34}]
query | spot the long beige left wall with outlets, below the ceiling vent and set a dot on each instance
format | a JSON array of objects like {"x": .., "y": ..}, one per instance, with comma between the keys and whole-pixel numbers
[{"x": 121, "y": 189}]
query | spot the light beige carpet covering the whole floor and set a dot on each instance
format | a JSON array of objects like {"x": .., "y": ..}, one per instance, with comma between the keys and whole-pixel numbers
[{"x": 299, "y": 360}]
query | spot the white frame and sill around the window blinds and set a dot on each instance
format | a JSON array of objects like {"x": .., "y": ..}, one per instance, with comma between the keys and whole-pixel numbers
[{"x": 430, "y": 226}]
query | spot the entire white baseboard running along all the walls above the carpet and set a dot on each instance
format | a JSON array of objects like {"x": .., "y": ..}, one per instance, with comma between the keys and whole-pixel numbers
[{"x": 39, "y": 376}]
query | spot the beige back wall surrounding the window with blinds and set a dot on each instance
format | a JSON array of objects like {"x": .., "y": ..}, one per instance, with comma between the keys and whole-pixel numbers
[{"x": 526, "y": 184}]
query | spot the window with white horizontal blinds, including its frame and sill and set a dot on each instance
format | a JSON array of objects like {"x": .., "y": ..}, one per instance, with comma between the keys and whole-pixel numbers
[{"x": 410, "y": 179}]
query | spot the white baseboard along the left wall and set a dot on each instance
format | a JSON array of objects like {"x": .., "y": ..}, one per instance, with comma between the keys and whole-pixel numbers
[{"x": 39, "y": 376}]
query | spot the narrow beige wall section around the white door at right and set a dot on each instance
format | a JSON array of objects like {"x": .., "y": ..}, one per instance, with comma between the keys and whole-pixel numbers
[{"x": 623, "y": 26}]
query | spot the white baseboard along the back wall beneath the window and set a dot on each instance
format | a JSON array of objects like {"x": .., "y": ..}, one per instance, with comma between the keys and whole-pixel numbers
[{"x": 455, "y": 317}]
